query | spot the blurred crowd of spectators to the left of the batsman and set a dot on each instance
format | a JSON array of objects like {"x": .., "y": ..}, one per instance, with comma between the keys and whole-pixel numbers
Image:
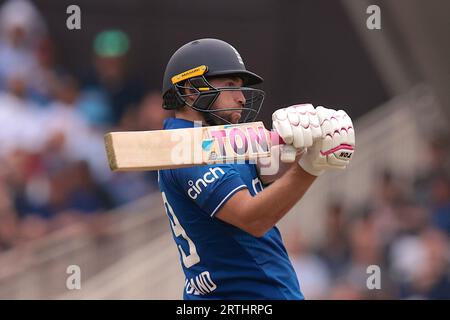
[{"x": 53, "y": 168}]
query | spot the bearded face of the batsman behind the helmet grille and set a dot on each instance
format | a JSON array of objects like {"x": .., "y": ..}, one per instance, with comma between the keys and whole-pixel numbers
[{"x": 229, "y": 99}]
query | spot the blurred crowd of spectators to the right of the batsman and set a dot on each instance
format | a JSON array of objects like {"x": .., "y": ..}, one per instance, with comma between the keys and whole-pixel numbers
[{"x": 403, "y": 229}]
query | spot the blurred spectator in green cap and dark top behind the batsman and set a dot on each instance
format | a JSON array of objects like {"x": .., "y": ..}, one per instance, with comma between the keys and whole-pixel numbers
[{"x": 109, "y": 91}]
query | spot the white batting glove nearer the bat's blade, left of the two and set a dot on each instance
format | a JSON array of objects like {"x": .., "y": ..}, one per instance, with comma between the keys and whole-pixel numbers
[{"x": 297, "y": 125}]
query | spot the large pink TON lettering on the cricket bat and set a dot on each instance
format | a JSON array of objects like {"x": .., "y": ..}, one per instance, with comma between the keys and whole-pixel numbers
[{"x": 237, "y": 140}]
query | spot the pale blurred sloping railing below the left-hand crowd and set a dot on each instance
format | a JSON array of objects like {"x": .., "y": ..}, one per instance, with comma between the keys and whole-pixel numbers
[{"x": 38, "y": 270}]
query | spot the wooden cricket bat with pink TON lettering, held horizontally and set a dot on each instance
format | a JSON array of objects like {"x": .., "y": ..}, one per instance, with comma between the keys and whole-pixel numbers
[{"x": 171, "y": 149}]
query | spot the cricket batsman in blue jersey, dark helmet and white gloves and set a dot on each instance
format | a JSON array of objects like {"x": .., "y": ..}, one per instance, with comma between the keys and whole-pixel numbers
[{"x": 223, "y": 216}]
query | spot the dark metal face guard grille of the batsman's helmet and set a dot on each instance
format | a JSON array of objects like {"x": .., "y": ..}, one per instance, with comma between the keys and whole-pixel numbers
[{"x": 203, "y": 95}]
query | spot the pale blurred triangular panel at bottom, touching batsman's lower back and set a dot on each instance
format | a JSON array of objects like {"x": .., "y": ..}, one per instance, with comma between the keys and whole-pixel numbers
[{"x": 151, "y": 271}]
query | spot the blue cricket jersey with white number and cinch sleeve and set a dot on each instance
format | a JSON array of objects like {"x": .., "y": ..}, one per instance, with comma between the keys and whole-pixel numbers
[{"x": 219, "y": 260}]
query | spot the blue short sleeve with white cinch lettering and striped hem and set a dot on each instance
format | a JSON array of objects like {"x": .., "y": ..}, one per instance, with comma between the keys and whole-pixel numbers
[{"x": 210, "y": 187}]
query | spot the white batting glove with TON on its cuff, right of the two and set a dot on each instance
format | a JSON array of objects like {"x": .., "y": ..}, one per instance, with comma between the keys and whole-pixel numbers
[{"x": 335, "y": 148}]
